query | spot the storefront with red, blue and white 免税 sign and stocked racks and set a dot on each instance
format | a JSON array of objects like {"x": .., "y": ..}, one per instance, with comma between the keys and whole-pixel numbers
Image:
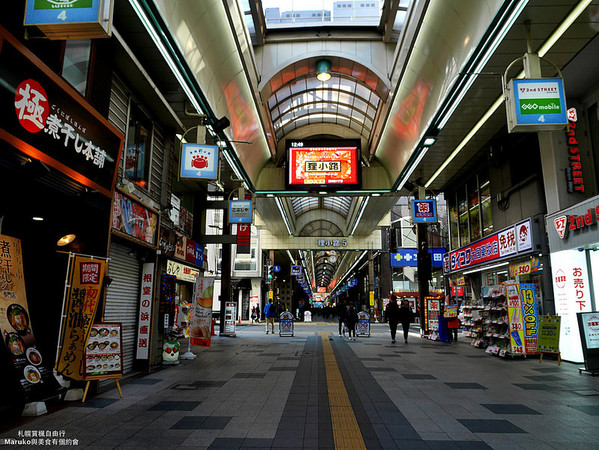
[{"x": 498, "y": 283}]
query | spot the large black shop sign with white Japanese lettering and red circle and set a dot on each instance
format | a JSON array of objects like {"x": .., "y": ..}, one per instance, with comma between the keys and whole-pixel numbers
[{"x": 45, "y": 118}]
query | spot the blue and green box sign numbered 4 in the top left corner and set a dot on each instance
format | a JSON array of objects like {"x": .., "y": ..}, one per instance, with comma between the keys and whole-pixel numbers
[{"x": 71, "y": 19}]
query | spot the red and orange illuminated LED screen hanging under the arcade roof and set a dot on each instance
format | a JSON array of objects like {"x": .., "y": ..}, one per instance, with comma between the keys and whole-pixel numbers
[{"x": 323, "y": 165}]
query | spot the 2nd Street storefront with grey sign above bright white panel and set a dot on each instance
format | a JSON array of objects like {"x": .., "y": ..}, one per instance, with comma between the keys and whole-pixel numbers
[{"x": 574, "y": 246}]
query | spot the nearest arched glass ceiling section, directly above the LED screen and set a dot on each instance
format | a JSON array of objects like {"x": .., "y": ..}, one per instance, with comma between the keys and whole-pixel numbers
[{"x": 350, "y": 98}]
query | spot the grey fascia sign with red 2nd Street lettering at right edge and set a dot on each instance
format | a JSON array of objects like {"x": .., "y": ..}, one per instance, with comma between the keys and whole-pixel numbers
[{"x": 574, "y": 227}]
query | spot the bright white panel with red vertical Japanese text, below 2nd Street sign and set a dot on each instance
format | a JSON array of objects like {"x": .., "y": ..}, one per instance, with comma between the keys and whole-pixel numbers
[{"x": 571, "y": 291}]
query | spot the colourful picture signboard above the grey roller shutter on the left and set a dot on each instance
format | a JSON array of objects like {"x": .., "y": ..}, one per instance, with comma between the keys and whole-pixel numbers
[{"x": 133, "y": 219}]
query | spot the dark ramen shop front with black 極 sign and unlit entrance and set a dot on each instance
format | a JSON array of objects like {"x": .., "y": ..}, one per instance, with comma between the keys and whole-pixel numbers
[{"x": 58, "y": 161}]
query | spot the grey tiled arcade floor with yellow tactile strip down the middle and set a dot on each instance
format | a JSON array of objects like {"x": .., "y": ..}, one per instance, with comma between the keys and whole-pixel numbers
[{"x": 267, "y": 391}]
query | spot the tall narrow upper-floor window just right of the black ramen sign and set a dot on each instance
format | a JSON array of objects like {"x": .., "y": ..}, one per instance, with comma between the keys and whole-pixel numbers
[{"x": 138, "y": 155}]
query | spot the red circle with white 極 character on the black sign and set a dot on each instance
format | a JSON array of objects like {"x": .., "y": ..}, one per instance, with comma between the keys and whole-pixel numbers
[{"x": 31, "y": 106}]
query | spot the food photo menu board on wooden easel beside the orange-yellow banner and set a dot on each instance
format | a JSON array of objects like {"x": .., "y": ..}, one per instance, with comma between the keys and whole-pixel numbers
[{"x": 103, "y": 350}]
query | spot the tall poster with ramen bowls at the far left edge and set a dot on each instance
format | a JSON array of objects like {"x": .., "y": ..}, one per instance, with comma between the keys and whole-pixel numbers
[{"x": 15, "y": 324}]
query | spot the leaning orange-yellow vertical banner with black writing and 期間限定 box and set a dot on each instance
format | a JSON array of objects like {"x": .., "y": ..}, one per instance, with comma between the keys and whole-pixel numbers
[{"x": 86, "y": 277}]
